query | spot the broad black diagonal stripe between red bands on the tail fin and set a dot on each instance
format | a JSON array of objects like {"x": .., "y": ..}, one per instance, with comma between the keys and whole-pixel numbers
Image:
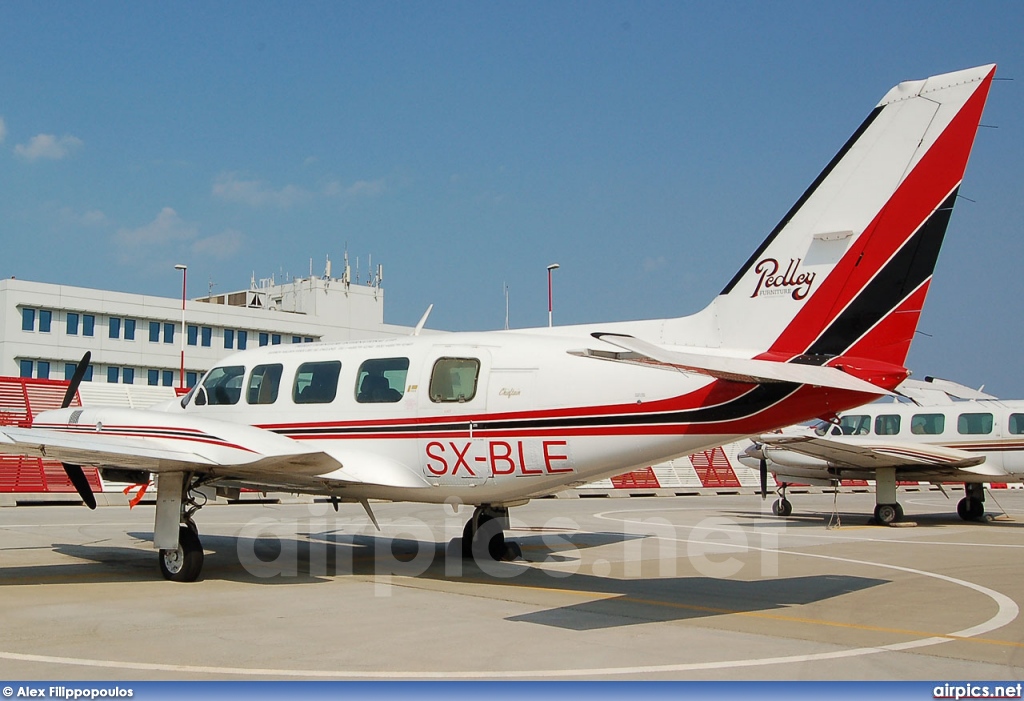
[{"x": 905, "y": 273}]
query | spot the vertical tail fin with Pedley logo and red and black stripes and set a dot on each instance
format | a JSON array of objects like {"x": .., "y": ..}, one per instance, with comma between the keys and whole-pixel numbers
[{"x": 846, "y": 272}]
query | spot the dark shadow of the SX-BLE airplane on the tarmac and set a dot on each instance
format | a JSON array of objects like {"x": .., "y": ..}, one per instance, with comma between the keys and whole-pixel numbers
[{"x": 602, "y": 601}]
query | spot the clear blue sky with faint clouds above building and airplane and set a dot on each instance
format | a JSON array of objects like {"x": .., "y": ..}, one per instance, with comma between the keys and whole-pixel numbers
[{"x": 648, "y": 148}]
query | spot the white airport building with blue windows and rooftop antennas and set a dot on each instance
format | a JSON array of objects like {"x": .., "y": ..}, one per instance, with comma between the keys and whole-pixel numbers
[{"x": 137, "y": 340}]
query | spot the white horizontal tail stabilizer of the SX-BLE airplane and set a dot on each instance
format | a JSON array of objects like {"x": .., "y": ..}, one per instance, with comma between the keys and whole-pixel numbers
[{"x": 737, "y": 370}]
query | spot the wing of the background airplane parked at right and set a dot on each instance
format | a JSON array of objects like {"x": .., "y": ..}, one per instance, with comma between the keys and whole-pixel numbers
[{"x": 851, "y": 453}]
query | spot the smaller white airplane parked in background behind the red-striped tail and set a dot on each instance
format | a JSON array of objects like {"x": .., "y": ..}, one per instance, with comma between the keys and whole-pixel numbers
[{"x": 950, "y": 434}]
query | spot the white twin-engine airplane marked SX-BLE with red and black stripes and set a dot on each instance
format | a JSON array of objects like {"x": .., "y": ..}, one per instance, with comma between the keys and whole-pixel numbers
[{"x": 818, "y": 321}]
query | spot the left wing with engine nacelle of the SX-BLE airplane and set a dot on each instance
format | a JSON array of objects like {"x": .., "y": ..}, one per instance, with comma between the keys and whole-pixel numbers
[{"x": 155, "y": 442}]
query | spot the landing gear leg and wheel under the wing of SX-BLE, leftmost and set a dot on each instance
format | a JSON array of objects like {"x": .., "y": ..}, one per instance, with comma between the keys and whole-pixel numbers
[{"x": 176, "y": 535}]
